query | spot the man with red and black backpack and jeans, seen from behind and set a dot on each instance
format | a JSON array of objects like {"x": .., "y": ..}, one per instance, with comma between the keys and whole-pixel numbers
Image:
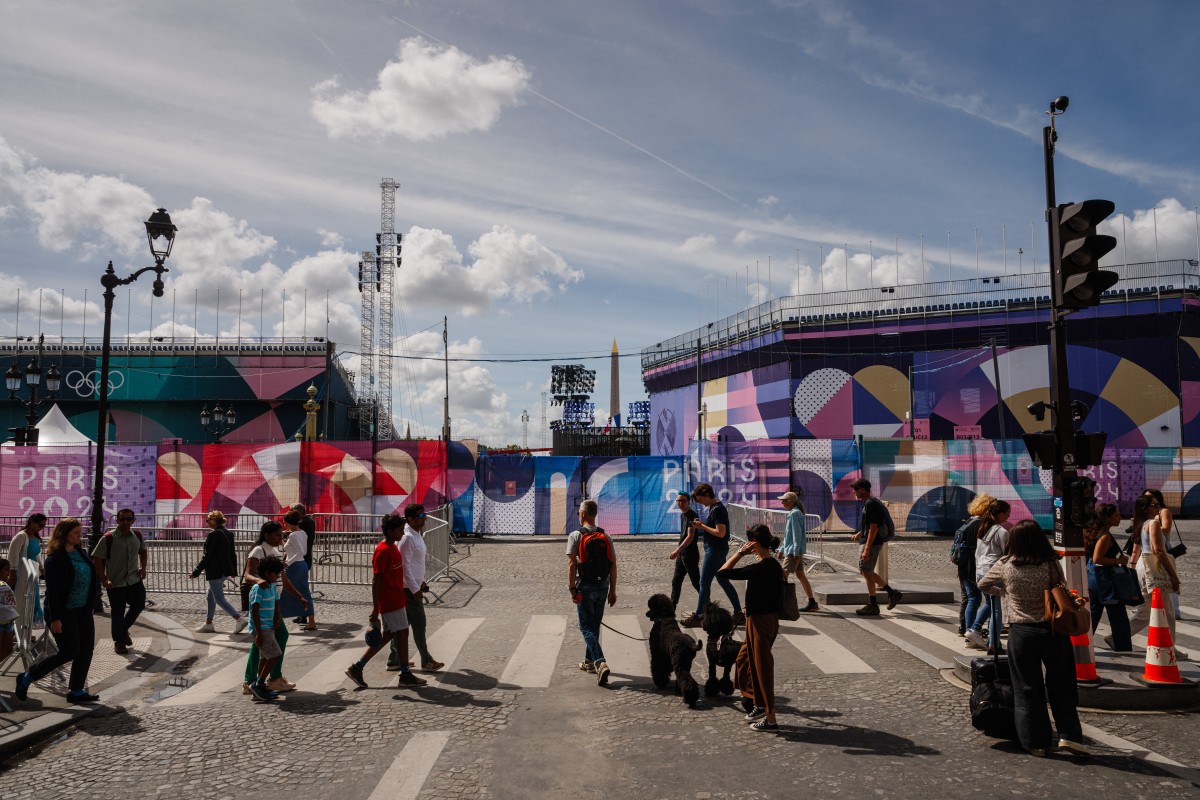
[{"x": 591, "y": 578}]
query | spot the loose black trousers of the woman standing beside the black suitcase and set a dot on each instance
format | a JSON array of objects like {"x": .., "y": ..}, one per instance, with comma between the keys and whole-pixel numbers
[{"x": 1033, "y": 647}]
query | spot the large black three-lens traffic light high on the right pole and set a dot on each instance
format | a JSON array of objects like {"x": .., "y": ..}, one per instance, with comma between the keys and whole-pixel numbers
[{"x": 1078, "y": 281}]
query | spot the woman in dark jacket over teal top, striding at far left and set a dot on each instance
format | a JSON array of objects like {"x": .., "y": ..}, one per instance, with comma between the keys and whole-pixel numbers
[{"x": 73, "y": 586}]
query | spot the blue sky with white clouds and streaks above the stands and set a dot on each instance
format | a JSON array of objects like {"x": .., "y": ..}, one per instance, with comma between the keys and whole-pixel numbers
[{"x": 569, "y": 173}]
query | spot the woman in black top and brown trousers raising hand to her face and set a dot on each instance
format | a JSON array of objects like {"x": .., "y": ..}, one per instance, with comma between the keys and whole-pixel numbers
[{"x": 764, "y": 584}]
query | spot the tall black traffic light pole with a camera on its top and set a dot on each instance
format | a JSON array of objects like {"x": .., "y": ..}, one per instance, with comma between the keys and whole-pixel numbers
[{"x": 1076, "y": 282}]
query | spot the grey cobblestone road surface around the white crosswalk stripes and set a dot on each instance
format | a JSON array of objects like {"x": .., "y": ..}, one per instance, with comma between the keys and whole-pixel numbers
[{"x": 901, "y": 731}]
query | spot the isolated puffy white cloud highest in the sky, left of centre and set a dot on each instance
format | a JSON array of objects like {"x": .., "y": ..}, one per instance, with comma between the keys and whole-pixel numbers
[{"x": 428, "y": 92}]
